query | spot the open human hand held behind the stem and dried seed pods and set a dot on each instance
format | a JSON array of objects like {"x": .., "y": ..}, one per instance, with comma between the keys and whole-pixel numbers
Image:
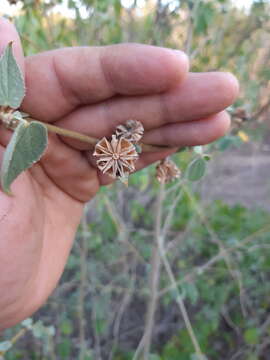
[{"x": 91, "y": 90}]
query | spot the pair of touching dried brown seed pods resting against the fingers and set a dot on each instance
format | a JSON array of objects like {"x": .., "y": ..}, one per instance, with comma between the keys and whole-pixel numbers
[{"x": 117, "y": 157}]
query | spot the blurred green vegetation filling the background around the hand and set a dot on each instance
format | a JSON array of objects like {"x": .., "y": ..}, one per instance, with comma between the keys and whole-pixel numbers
[{"x": 218, "y": 254}]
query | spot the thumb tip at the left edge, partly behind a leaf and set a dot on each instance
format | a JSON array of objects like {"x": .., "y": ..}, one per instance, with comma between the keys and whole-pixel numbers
[{"x": 9, "y": 33}]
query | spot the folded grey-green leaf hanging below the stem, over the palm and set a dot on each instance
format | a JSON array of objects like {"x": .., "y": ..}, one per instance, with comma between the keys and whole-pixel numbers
[{"x": 26, "y": 147}]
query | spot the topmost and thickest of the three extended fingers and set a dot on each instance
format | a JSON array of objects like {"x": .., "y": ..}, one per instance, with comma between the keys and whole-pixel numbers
[{"x": 61, "y": 80}]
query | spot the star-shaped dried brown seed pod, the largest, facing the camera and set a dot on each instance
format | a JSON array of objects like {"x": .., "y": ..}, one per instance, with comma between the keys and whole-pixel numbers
[{"x": 116, "y": 157}]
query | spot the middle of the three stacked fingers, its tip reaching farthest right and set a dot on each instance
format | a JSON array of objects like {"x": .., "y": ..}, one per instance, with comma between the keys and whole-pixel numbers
[{"x": 200, "y": 96}]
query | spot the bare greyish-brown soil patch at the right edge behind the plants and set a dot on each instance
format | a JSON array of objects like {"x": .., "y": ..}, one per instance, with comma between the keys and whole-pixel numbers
[{"x": 240, "y": 176}]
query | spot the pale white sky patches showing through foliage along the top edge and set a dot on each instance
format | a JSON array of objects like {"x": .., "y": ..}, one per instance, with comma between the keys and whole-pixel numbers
[{"x": 5, "y": 8}]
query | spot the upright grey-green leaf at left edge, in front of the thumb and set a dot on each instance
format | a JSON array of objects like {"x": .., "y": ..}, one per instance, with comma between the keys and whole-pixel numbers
[{"x": 12, "y": 88}]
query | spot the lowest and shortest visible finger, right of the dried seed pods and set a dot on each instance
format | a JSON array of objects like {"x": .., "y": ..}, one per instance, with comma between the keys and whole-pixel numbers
[{"x": 193, "y": 133}]
